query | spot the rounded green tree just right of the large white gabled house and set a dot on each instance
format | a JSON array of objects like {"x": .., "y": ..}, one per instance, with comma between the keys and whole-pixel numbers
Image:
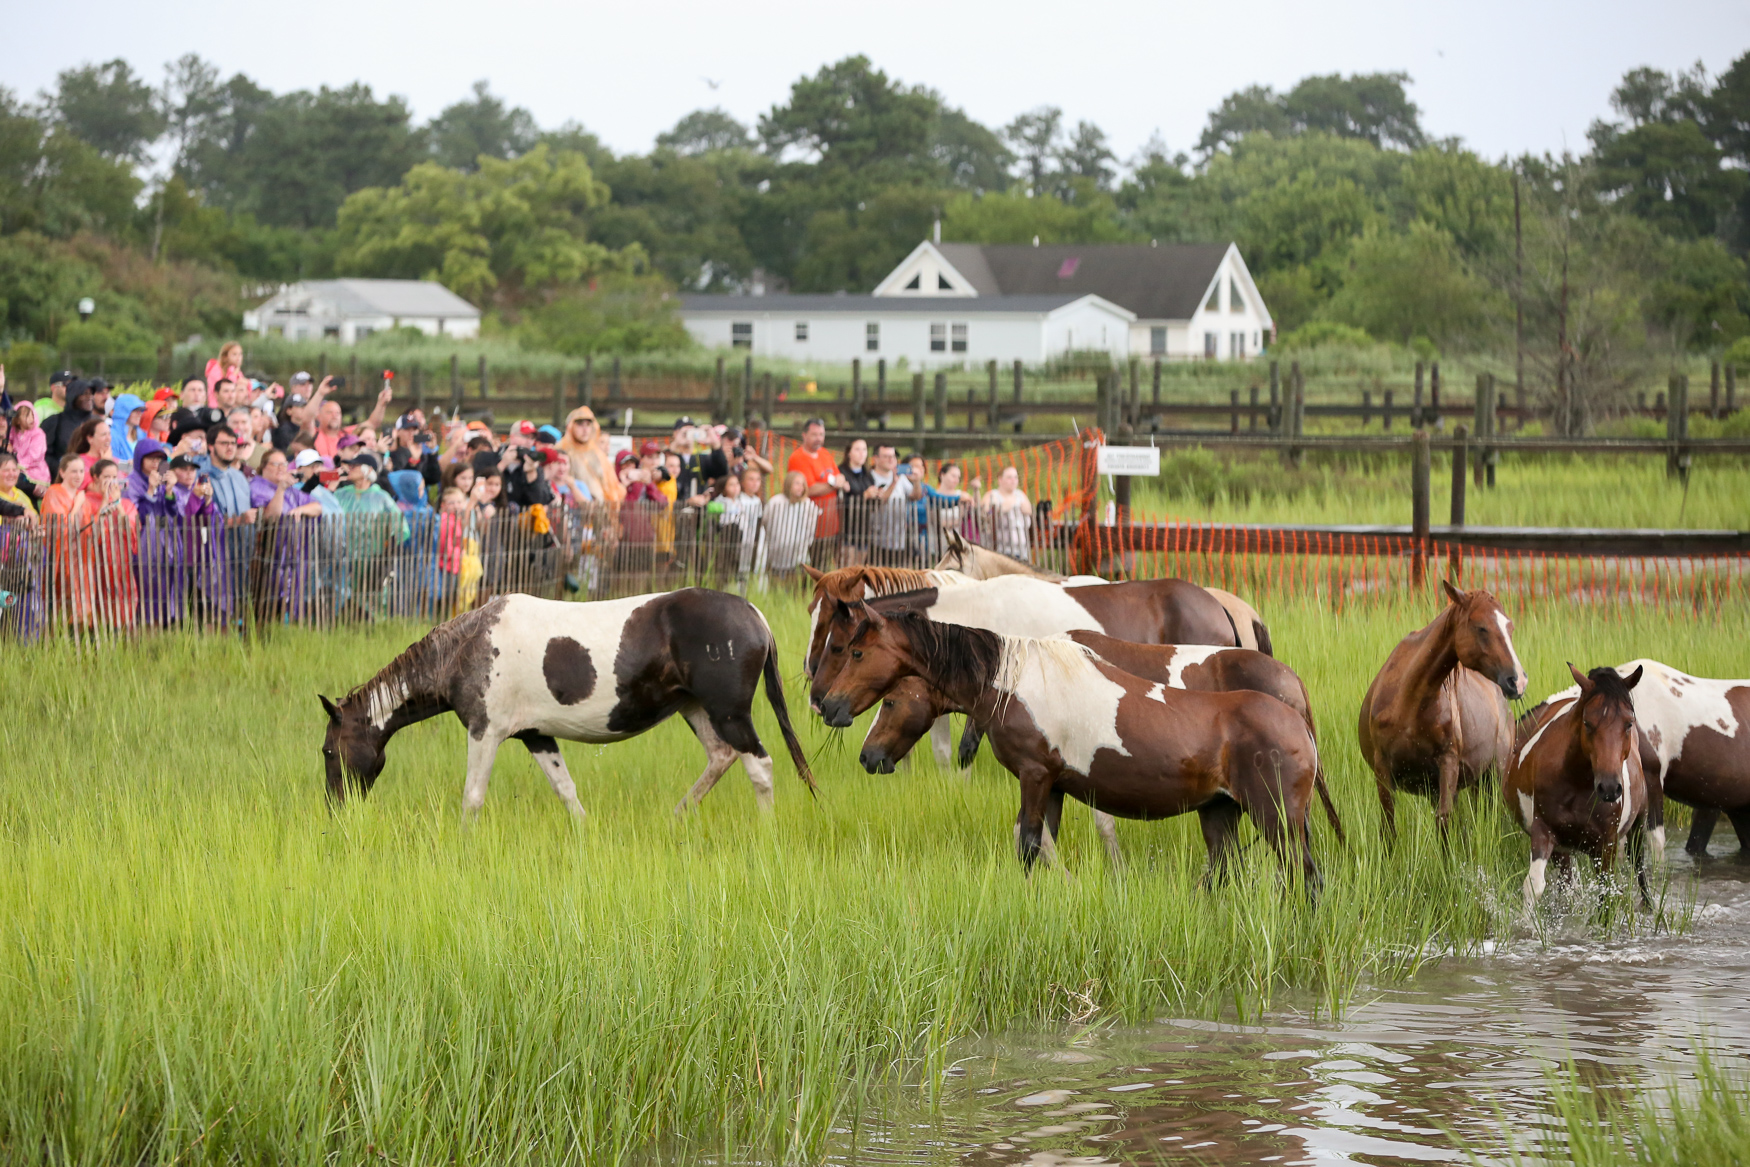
[{"x": 1413, "y": 284}]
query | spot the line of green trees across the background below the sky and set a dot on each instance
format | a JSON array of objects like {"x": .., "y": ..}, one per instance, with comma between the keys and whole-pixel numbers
[{"x": 178, "y": 200}]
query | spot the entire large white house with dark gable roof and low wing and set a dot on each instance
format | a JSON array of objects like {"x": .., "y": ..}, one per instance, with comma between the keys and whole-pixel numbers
[{"x": 967, "y": 304}]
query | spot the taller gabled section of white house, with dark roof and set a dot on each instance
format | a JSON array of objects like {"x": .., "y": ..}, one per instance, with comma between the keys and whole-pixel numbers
[{"x": 1189, "y": 300}]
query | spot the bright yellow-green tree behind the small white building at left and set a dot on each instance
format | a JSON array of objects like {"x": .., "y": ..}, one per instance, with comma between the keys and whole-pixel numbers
[{"x": 494, "y": 237}]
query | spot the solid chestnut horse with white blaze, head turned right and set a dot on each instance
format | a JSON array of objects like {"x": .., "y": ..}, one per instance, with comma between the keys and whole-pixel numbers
[{"x": 1436, "y": 718}]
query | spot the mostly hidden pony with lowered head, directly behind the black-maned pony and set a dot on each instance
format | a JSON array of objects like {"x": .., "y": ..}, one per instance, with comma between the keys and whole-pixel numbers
[{"x": 913, "y": 706}]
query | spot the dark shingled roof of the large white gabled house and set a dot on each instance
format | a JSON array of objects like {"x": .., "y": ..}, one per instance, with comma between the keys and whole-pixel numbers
[{"x": 1163, "y": 283}]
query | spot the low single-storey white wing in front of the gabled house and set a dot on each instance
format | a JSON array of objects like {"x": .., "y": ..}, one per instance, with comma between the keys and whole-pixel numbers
[{"x": 925, "y": 332}]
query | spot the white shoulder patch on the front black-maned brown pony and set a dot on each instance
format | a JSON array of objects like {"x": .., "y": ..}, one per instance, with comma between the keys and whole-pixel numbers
[{"x": 1072, "y": 702}]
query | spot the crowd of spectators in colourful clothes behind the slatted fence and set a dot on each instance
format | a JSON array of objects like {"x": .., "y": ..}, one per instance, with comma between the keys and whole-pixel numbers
[{"x": 228, "y": 451}]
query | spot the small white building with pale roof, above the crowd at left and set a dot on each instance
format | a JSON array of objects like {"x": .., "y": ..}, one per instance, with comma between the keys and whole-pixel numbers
[{"x": 349, "y": 311}]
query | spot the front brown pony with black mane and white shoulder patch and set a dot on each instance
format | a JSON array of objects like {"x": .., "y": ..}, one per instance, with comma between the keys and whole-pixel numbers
[{"x": 1065, "y": 722}]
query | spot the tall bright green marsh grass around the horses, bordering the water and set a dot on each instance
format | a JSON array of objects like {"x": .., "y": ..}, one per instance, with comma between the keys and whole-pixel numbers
[{"x": 202, "y": 965}]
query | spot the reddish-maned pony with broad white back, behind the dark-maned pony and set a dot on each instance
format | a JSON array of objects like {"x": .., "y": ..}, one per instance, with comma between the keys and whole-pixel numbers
[{"x": 1158, "y": 611}]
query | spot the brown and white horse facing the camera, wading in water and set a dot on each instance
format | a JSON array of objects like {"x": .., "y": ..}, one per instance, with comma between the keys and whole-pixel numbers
[{"x": 1576, "y": 781}]
